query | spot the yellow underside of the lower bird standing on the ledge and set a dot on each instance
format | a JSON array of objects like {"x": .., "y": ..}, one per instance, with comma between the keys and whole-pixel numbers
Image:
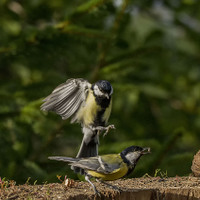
[{"x": 119, "y": 173}]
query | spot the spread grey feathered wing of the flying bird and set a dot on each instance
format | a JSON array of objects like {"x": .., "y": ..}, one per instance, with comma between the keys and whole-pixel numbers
[{"x": 67, "y": 98}]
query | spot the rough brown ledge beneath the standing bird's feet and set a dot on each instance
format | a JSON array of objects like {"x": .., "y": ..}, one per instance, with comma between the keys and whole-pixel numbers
[{"x": 175, "y": 188}]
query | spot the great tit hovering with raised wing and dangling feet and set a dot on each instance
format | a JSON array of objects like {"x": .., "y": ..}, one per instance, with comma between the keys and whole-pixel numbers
[{"x": 88, "y": 104}]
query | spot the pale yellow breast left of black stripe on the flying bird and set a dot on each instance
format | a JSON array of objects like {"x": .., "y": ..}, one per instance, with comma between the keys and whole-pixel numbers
[{"x": 87, "y": 113}]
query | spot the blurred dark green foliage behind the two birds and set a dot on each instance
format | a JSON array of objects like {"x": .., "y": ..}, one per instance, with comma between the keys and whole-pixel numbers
[{"x": 148, "y": 50}]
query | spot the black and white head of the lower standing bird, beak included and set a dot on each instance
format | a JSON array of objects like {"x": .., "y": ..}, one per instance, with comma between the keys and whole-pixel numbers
[{"x": 133, "y": 153}]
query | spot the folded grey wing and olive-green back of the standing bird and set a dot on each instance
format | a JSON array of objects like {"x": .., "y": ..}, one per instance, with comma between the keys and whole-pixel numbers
[{"x": 103, "y": 164}]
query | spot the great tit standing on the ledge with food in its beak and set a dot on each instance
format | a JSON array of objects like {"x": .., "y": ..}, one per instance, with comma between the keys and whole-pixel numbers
[{"x": 107, "y": 167}]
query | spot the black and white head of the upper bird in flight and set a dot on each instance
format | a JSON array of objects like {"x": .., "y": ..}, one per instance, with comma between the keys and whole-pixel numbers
[{"x": 102, "y": 88}]
